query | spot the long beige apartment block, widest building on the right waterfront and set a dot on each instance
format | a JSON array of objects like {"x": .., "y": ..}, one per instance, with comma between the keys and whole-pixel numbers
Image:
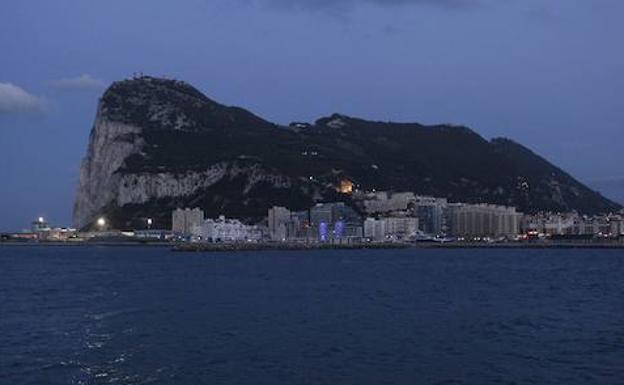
[{"x": 483, "y": 220}]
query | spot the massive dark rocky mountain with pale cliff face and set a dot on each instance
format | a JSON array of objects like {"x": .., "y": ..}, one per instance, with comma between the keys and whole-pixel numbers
[{"x": 158, "y": 144}]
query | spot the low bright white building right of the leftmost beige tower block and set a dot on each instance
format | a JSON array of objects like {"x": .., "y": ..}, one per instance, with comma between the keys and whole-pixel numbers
[{"x": 229, "y": 230}]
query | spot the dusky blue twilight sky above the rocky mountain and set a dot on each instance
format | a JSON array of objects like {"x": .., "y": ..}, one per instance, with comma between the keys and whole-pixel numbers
[{"x": 547, "y": 73}]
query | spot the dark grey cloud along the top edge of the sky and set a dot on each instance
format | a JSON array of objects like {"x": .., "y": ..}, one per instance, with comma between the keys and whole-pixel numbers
[{"x": 347, "y": 4}]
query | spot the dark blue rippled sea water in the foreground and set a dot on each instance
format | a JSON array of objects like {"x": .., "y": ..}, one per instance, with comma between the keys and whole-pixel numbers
[{"x": 150, "y": 316}]
